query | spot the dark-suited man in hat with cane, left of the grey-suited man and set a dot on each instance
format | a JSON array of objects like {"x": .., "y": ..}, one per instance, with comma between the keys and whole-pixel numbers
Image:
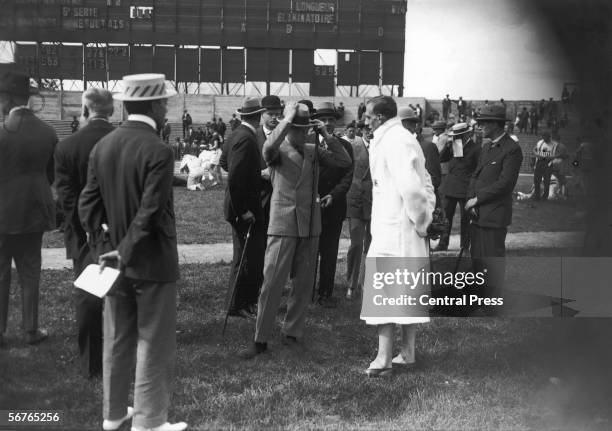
[{"x": 243, "y": 208}]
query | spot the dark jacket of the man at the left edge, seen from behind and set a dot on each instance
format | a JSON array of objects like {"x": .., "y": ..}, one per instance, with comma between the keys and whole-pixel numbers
[{"x": 26, "y": 173}]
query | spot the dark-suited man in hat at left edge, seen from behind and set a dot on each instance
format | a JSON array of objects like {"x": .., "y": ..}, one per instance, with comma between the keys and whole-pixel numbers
[{"x": 26, "y": 203}]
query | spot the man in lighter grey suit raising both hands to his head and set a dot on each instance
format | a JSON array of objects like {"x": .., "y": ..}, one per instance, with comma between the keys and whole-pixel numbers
[{"x": 295, "y": 223}]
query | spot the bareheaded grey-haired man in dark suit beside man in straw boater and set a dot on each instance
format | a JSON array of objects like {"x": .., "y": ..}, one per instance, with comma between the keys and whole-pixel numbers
[{"x": 71, "y": 161}]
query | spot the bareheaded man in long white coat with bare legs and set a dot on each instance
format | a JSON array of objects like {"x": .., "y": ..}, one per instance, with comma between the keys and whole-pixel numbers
[{"x": 403, "y": 203}]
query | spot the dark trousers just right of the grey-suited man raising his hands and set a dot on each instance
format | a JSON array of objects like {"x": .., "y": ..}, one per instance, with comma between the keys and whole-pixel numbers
[{"x": 331, "y": 228}]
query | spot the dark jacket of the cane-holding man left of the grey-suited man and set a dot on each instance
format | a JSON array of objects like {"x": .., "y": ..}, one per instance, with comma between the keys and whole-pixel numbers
[{"x": 244, "y": 175}]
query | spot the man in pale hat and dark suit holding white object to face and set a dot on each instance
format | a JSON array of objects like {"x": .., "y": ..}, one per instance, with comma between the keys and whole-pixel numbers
[{"x": 461, "y": 153}]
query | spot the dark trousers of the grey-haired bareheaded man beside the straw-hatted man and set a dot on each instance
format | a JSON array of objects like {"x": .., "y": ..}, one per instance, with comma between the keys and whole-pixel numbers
[{"x": 89, "y": 322}]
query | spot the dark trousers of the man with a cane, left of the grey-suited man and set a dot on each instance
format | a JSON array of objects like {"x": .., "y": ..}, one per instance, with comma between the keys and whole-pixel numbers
[{"x": 251, "y": 276}]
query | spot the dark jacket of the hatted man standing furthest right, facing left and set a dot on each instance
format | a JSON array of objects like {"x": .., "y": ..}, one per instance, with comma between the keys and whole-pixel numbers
[{"x": 494, "y": 180}]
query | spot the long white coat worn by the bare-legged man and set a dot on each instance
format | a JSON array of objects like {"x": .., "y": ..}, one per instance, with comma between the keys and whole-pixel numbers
[{"x": 402, "y": 208}]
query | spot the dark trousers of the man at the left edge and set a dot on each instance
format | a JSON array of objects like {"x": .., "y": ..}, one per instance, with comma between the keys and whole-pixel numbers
[{"x": 24, "y": 248}]
